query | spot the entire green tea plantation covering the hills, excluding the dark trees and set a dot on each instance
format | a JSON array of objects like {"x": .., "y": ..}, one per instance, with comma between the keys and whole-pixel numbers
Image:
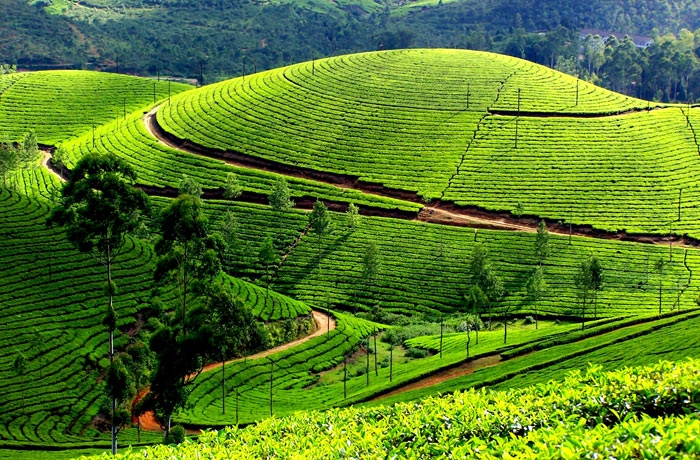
[{"x": 482, "y": 138}]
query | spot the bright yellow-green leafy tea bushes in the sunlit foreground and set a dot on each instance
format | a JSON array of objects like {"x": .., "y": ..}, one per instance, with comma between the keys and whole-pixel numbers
[{"x": 588, "y": 415}]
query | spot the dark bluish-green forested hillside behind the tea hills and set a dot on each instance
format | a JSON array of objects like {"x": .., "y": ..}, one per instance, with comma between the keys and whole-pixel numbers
[{"x": 226, "y": 38}]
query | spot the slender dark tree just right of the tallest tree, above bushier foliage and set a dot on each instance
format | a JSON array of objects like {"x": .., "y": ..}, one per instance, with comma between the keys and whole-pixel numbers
[{"x": 188, "y": 255}]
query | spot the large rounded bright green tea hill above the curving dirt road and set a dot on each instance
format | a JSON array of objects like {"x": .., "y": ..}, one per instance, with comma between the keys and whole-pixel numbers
[{"x": 473, "y": 128}]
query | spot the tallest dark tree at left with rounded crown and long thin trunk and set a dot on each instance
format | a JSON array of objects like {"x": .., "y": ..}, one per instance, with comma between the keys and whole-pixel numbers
[{"x": 99, "y": 207}]
